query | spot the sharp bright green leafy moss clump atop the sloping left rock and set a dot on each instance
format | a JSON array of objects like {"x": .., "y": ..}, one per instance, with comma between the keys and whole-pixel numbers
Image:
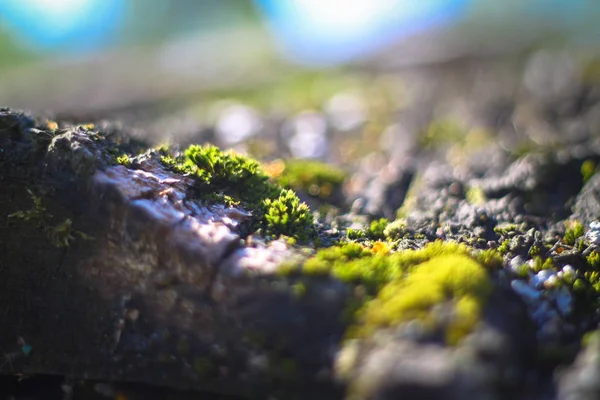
[{"x": 232, "y": 179}]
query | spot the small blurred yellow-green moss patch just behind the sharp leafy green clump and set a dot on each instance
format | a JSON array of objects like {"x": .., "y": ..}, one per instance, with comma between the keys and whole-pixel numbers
[{"x": 313, "y": 177}]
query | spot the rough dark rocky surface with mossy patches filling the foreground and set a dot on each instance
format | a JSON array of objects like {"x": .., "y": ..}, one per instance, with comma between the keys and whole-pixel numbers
[{"x": 121, "y": 269}]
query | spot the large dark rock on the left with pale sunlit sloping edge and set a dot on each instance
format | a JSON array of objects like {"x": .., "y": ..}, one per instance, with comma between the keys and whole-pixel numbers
[{"x": 120, "y": 273}]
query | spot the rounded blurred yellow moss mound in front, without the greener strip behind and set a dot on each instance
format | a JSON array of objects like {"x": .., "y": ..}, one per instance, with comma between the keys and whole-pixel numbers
[{"x": 453, "y": 278}]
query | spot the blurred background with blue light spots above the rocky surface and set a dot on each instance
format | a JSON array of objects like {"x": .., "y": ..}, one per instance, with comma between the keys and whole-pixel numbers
[{"x": 337, "y": 80}]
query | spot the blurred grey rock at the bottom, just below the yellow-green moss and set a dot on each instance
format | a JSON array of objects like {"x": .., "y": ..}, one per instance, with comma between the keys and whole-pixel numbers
[{"x": 490, "y": 363}]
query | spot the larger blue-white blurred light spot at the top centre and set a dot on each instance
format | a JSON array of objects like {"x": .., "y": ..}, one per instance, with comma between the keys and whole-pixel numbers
[{"x": 330, "y": 31}]
